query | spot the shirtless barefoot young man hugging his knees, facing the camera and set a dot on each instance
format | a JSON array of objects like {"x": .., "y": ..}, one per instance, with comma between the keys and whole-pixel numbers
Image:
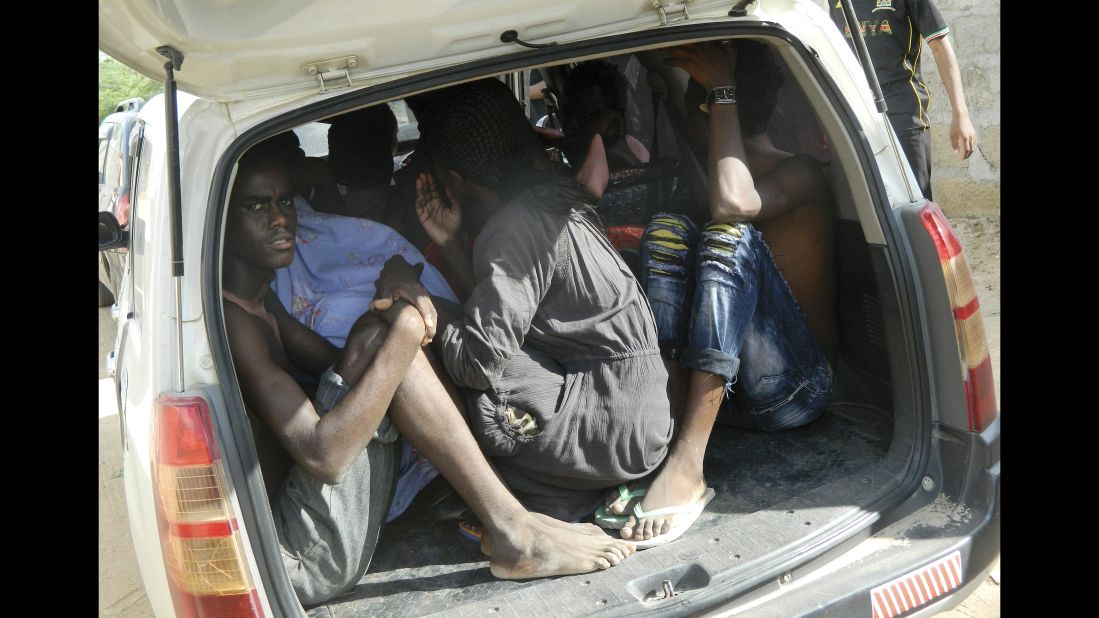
[{"x": 328, "y": 462}]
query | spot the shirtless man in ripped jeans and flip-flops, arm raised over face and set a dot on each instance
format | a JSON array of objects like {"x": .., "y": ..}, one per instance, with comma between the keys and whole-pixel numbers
[{"x": 727, "y": 308}]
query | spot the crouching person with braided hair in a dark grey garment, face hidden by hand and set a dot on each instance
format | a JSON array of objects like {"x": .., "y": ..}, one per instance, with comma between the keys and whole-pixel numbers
[{"x": 557, "y": 351}]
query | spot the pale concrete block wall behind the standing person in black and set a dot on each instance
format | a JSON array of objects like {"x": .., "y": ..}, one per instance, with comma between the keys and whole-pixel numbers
[{"x": 972, "y": 187}]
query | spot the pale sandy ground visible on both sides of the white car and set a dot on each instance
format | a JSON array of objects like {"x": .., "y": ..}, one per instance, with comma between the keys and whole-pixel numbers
[{"x": 120, "y": 588}]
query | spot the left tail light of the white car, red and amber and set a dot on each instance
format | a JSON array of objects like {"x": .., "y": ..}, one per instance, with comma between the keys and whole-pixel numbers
[{"x": 199, "y": 536}]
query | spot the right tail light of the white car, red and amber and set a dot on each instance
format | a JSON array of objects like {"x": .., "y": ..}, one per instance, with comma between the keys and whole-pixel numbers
[{"x": 969, "y": 325}]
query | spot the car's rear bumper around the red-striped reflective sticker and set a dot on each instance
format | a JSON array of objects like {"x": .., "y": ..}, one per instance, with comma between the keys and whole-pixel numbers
[{"x": 964, "y": 516}]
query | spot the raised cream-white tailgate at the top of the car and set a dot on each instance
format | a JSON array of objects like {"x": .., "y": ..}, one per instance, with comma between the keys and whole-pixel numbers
[{"x": 251, "y": 49}]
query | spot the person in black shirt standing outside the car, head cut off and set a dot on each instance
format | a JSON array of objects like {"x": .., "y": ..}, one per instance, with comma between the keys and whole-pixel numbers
[{"x": 895, "y": 32}]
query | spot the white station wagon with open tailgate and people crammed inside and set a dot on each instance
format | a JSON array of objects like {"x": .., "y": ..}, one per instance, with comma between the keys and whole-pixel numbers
[{"x": 887, "y": 505}]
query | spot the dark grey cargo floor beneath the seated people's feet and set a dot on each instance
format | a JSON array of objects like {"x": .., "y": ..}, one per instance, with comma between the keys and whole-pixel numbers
[{"x": 772, "y": 491}]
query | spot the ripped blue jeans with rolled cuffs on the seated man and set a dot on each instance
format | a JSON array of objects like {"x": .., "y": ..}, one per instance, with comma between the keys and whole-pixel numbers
[{"x": 721, "y": 306}]
